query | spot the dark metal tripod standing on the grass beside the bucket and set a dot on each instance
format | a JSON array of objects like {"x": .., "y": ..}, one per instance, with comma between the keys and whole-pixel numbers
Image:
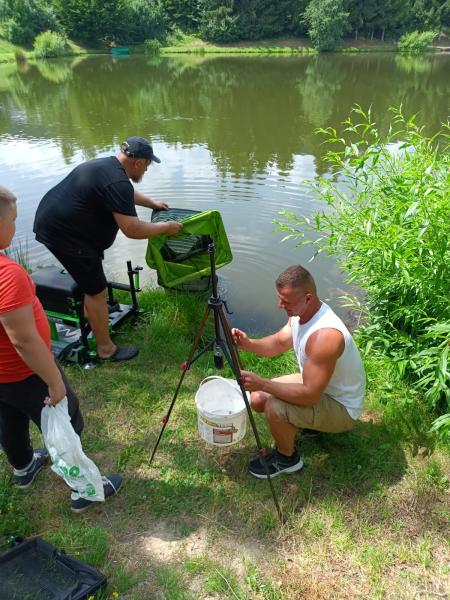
[{"x": 222, "y": 345}]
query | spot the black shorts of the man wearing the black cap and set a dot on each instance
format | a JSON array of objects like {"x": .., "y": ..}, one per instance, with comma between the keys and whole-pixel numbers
[{"x": 86, "y": 271}]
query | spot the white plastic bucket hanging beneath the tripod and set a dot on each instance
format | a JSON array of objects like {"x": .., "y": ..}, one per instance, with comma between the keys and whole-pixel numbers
[{"x": 221, "y": 411}]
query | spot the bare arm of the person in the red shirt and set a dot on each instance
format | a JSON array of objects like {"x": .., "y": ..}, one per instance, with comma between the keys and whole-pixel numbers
[{"x": 21, "y": 329}]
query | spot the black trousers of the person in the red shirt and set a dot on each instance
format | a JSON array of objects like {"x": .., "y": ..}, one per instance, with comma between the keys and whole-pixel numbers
[{"x": 24, "y": 400}]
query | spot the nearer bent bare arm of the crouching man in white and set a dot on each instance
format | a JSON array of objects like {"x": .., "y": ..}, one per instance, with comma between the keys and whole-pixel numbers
[{"x": 323, "y": 349}]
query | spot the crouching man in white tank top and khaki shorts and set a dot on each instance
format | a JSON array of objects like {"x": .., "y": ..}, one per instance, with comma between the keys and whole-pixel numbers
[{"x": 328, "y": 393}]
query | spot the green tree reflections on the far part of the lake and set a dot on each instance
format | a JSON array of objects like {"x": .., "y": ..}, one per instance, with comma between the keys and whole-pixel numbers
[{"x": 251, "y": 112}]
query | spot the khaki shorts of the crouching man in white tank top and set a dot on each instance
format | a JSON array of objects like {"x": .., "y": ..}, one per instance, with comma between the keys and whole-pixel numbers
[{"x": 327, "y": 415}]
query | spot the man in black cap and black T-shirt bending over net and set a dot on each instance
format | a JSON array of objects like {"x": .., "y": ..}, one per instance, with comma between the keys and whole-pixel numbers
[{"x": 80, "y": 217}]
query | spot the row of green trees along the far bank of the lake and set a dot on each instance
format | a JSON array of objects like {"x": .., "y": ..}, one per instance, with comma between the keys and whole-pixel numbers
[{"x": 223, "y": 21}]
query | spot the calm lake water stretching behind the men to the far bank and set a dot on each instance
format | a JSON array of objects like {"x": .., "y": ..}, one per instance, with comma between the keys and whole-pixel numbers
[{"x": 235, "y": 134}]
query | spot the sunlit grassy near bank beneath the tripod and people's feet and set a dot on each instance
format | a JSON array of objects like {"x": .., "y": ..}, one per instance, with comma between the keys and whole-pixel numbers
[{"x": 367, "y": 517}]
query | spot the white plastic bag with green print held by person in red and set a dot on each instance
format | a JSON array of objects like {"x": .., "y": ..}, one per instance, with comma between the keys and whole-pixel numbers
[{"x": 68, "y": 458}]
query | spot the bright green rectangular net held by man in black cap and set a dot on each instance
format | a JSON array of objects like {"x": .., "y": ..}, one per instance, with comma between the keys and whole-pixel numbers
[{"x": 184, "y": 258}]
